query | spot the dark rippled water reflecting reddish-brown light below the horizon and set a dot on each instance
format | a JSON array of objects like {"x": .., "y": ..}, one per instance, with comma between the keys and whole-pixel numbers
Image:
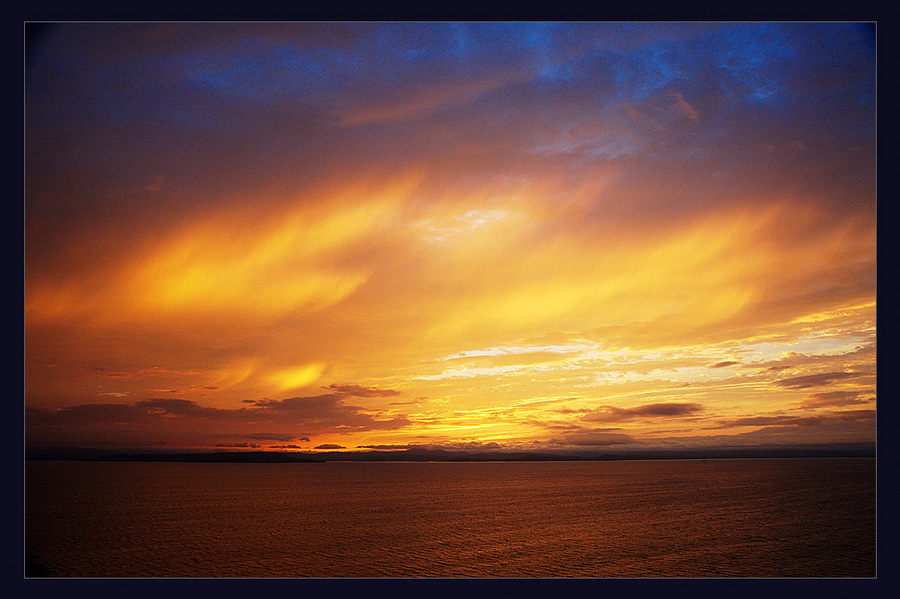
[{"x": 678, "y": 518}]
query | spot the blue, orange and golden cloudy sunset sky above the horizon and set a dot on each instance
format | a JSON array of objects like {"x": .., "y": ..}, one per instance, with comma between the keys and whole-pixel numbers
[{"x": 541, "y": 236}]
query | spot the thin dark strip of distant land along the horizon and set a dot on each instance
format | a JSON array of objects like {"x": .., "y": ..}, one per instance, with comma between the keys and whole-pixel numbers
[{"x": 440, "y": 455}]
